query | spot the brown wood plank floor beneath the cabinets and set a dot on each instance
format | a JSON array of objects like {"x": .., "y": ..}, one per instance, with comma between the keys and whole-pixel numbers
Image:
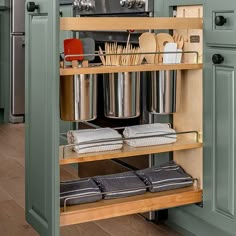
[{"x": 12, "y": 204}]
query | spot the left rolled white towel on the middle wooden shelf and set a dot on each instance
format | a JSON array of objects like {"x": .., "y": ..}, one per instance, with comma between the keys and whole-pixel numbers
[{"x": 93, "y": 135}]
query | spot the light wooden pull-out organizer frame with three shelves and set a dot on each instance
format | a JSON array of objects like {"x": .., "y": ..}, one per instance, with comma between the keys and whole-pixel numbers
[{"x": 187, "y": 151}]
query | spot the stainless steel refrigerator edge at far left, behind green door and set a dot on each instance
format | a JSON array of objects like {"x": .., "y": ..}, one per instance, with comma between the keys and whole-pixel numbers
[{"x": 17, "y": 61}]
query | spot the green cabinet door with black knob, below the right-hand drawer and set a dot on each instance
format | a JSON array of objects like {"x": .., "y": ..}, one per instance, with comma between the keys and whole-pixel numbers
[{"x": 219, "y": 138}]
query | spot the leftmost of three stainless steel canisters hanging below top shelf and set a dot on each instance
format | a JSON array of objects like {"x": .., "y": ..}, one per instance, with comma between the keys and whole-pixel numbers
[{"x": 78, "y": 97}]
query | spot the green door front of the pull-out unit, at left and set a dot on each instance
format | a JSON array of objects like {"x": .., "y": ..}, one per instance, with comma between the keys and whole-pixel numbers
[{"x": 42, "y": 117}]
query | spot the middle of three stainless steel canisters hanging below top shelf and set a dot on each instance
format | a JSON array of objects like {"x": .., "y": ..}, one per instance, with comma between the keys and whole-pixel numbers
[{"x": 122, "y": 95}]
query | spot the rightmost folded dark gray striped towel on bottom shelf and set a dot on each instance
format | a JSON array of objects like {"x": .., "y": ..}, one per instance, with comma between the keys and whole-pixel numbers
[{"x": 165, "y": 177}]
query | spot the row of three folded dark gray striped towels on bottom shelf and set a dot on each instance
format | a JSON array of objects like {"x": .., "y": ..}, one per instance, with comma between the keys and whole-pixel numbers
[{"x": 167, "y": 176}]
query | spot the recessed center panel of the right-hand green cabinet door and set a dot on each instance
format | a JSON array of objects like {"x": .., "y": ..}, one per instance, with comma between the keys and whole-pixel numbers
[{"x": 223, "y": 140}]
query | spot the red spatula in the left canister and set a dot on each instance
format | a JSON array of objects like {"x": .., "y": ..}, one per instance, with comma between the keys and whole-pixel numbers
[{"x": 73, "y": 47}]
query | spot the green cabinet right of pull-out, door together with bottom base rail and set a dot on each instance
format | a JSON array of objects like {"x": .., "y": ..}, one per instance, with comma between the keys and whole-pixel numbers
[{"x": 218, "y": 212}]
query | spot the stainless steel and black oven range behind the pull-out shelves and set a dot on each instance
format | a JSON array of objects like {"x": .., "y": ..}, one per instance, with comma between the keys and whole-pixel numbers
[{"x": 117, "y": 8}]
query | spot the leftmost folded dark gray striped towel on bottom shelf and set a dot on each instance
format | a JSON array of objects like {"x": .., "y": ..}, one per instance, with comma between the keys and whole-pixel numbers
[{"x": 79, "y": 191}]
